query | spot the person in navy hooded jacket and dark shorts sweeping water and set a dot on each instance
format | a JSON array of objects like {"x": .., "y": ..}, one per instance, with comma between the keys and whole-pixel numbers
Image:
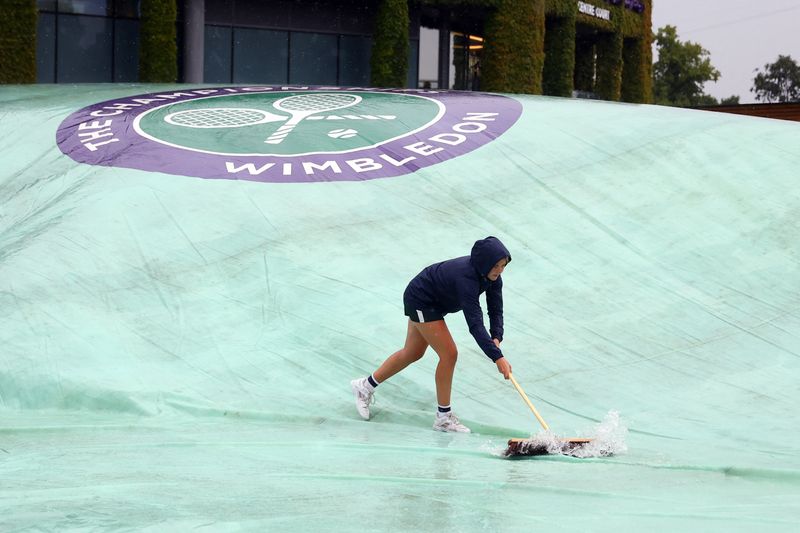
[{"x": 447, "y": 287}]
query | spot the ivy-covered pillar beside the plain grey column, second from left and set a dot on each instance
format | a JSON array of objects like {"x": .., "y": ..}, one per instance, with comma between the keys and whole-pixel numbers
[{"x": 158, "y": 50}]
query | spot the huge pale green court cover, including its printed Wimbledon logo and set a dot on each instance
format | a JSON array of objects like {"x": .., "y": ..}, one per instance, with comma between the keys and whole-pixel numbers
[{"x": 191, "y": 276}]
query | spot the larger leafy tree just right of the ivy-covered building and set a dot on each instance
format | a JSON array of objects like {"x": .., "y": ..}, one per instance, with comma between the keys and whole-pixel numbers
[{"x": 681, "y": 70}]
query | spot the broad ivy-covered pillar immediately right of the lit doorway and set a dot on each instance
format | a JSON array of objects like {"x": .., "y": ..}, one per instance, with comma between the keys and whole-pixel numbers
[{"x": 513, "y": 54}]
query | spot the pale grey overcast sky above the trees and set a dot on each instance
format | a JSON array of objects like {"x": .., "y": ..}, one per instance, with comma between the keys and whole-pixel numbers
[{"x": 741, "y": 35}]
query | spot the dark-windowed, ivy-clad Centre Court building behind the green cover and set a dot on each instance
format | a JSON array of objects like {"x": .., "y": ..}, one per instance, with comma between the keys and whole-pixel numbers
[{"x": 597, "y": 48}]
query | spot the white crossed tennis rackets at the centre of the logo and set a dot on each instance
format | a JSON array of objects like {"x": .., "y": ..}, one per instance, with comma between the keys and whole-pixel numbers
[{"x": 299, "y": 107}]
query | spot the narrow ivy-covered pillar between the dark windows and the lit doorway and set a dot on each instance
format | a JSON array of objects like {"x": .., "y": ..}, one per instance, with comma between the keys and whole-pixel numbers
[{"x": 389, "y": 61}]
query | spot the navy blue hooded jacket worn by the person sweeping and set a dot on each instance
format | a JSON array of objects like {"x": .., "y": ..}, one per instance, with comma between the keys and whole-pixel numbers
[{"x": 456, "y": 285}]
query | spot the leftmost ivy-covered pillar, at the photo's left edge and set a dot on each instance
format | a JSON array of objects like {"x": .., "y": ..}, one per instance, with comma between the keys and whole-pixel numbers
[{"x": 18, "y": 41}]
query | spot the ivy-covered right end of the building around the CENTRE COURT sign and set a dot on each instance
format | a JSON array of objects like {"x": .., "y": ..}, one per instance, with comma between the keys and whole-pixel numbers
[{"x": 548, "y": 47}]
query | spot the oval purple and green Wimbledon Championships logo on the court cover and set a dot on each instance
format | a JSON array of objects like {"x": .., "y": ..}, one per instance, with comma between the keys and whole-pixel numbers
[{"x": 285, "y": 134}]
